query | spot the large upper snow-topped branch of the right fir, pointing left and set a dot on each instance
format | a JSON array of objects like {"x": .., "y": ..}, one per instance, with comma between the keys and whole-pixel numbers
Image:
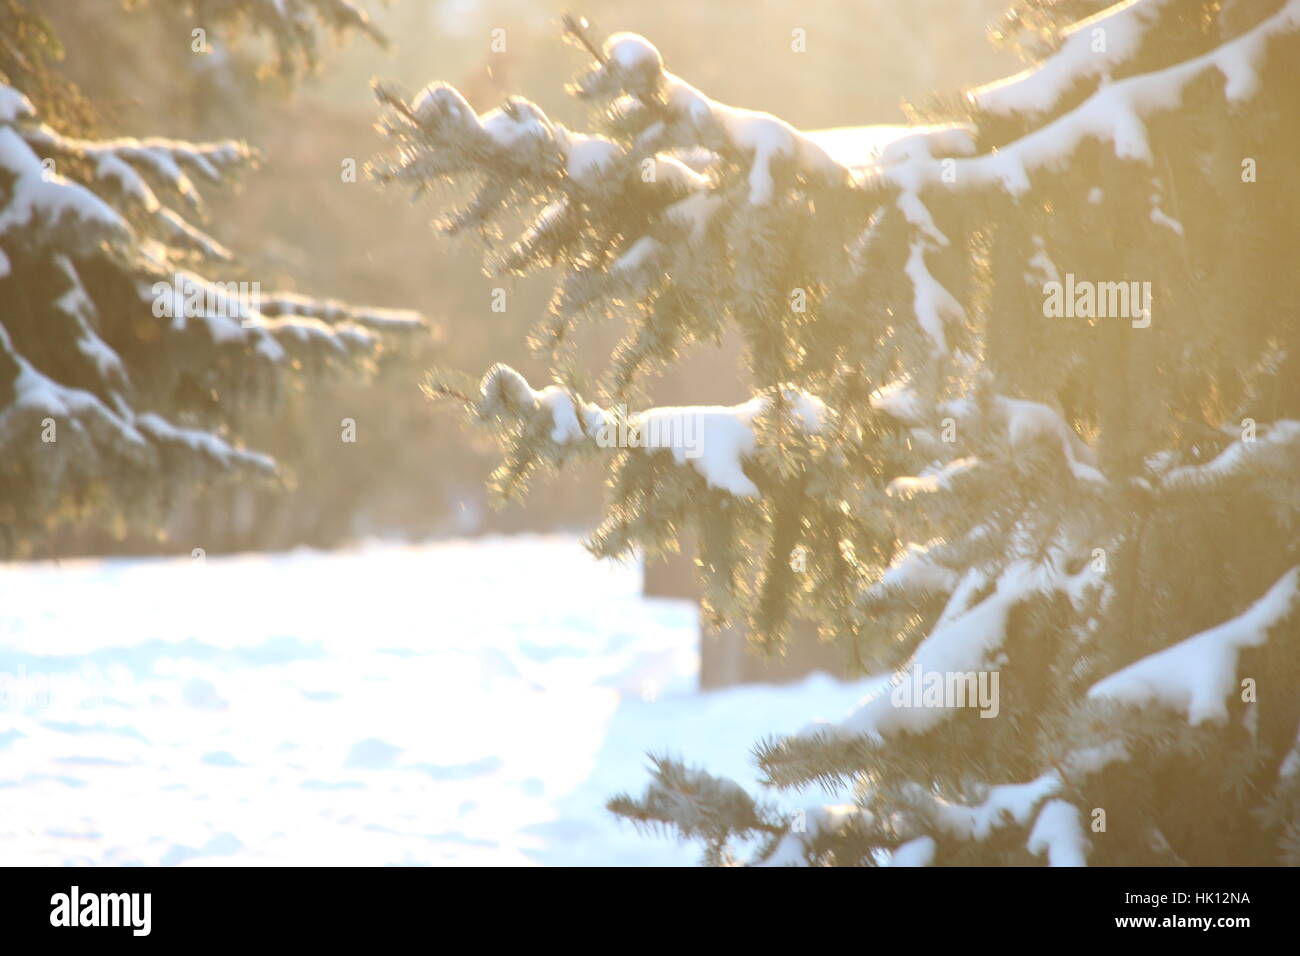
[{"x": 678, "y": 185}]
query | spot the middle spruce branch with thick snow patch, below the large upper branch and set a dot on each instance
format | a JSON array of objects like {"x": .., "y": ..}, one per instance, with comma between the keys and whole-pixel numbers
[{"x": 714, "y": 471}]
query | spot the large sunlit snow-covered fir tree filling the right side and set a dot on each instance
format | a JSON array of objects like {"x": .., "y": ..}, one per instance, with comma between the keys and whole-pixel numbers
[{"x": 1026, "y": 406}]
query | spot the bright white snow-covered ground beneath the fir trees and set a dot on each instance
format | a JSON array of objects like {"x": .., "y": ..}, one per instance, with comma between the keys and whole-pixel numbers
[{"x": 461, "y": 703}]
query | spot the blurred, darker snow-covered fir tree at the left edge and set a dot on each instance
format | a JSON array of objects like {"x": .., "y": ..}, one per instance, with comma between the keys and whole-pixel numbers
[{"x": 132, "y": 341}]
